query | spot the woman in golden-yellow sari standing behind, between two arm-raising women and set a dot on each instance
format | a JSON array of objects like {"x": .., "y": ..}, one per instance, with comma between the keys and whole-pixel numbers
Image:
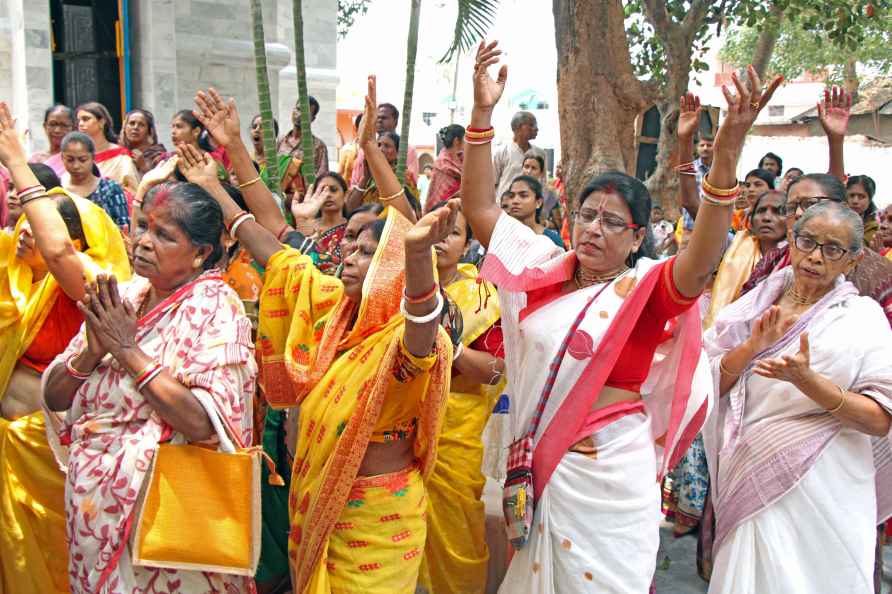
[{"x": 456, "y": 554}]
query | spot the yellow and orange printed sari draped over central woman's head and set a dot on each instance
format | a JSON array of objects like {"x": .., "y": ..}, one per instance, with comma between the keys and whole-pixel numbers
[{"x": 346, "y": 380}]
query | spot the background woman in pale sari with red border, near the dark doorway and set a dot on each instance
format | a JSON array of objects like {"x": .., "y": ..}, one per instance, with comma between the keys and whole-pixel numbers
[{"x": 114, "y": 161}]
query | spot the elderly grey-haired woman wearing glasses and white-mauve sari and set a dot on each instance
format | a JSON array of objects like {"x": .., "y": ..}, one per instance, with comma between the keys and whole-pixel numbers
[{"x": 801, "y": 364}]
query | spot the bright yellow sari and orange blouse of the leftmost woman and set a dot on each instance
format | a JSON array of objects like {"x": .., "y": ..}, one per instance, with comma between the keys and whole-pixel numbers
[{"x": 33, "y": 554}]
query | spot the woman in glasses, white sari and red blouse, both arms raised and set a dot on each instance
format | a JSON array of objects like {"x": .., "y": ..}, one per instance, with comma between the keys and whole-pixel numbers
[{"x": 626, "y": 383}]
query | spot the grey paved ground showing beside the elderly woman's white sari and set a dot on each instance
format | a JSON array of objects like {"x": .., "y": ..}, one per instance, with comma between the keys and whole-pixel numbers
[{"x": 677, "y": 566}]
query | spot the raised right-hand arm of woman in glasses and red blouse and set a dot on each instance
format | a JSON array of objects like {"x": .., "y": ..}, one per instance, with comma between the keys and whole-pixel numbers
[{"x": 695, "y": 265}]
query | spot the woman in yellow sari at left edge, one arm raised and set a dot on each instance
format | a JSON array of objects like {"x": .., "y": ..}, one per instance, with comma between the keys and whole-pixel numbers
[{"x": 42, "y": 267}]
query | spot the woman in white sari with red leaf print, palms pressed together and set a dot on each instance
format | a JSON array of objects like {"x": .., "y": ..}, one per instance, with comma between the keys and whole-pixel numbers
[{"x": 130, "y": 380}]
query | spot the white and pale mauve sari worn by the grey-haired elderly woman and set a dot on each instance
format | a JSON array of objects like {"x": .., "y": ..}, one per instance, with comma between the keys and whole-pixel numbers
[{"x": 797, "y": 496}]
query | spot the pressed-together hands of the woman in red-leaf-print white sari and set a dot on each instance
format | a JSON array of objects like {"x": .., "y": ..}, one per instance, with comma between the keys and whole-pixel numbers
[{"x": 110, "y": 321}]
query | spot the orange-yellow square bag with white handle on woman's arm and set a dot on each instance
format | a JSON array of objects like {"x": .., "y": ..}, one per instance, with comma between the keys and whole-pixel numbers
[{"x": 200, "y": 509}]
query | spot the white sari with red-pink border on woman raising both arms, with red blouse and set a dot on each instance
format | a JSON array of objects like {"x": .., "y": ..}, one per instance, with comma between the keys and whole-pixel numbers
[{"x": 632, "y": 444}]
